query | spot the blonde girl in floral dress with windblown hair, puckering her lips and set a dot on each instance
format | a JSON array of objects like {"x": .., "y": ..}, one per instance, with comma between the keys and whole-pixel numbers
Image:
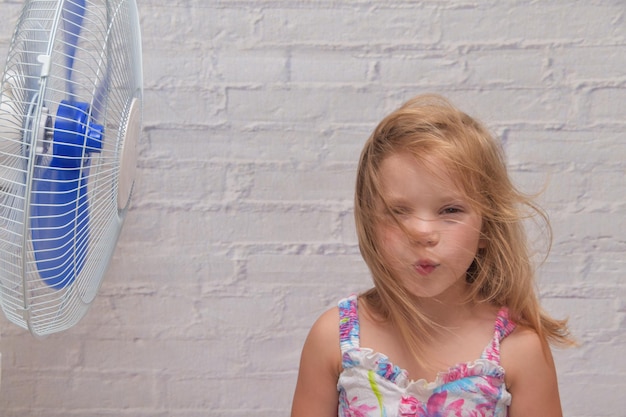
[{"x": 452, "y": 326}]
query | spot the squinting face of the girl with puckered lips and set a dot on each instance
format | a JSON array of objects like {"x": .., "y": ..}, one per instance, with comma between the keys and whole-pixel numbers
[{"x": 436, "y": 233}]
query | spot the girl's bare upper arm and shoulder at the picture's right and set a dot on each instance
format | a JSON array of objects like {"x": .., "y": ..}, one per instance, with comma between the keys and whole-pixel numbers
[{"x": 530, "y": 375}]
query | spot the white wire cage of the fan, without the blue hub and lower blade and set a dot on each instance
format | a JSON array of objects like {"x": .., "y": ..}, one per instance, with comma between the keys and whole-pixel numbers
[{"x": 107, "y": 75}]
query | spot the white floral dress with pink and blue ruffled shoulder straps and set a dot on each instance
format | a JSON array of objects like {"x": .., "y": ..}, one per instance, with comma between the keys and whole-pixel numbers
[{"x": 370, "y": 385}]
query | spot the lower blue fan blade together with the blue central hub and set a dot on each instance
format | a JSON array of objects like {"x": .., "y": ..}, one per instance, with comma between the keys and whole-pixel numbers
[{"x": 59, "y": 205}]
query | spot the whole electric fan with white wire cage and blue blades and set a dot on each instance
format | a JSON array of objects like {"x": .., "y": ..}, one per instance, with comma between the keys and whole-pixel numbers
[{"x": 70, "y": 120}]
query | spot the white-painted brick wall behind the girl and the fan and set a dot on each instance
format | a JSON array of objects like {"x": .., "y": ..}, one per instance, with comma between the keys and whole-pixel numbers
[{"x": 241, "y": 230}]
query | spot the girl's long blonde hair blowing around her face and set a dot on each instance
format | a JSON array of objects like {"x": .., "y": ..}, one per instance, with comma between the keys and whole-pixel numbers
[{"x": 502, "y": 273}]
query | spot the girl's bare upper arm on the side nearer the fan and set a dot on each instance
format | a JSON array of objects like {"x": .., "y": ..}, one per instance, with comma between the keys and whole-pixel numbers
[{"x": 316, "y": 390}]
